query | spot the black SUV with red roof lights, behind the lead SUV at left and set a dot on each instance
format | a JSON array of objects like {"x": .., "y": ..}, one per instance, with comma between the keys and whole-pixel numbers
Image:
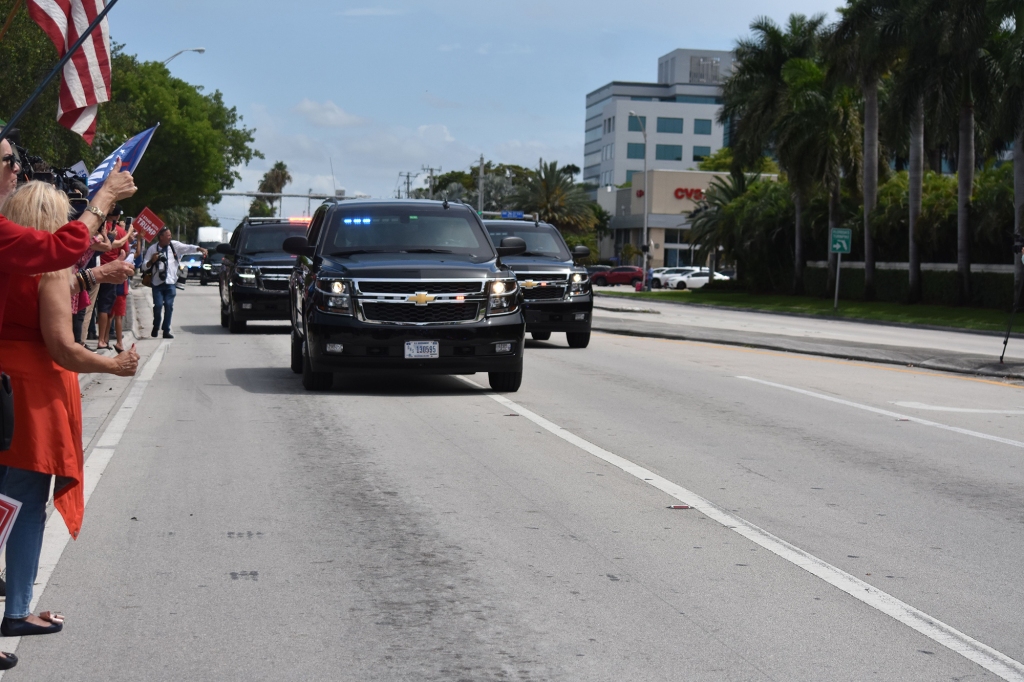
[{"x": 255, "y": 271}]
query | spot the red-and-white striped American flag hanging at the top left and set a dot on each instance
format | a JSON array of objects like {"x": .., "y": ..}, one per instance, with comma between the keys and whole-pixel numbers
[{"x": 87, "y": 80}]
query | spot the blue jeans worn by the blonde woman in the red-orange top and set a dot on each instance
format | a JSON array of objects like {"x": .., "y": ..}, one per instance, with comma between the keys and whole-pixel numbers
[{"x": 26, "y": 541}]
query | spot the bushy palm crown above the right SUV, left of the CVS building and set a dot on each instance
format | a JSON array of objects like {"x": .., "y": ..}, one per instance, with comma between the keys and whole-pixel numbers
[{"x": 551, "y": 194}]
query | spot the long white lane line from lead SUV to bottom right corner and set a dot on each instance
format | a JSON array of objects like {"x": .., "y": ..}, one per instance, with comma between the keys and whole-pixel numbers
[{"x": 937, "y": 631}]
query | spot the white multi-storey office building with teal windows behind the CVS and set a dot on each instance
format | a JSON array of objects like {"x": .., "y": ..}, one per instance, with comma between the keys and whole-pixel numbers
[{"x": 679, "y": 113}]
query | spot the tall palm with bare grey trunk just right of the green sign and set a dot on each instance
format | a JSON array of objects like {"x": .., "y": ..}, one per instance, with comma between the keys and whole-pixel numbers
[{"x": 861, "y": 54}]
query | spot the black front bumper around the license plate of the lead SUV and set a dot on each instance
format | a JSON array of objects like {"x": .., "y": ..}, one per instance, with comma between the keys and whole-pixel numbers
[{"x": 463, "y": 349}]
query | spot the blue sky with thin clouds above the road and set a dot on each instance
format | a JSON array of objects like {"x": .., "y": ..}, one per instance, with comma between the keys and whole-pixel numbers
[{"x": 387, "y": 88}]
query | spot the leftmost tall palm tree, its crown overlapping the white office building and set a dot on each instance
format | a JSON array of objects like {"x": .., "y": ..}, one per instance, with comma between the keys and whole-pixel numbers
[{"x": 755, "y": 99}]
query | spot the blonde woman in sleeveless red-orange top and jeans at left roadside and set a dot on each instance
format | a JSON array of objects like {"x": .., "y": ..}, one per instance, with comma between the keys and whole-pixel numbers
[{"x": 39, "y": 351}]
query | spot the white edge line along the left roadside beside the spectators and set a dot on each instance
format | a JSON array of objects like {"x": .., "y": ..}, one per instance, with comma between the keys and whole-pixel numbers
[{"x": 56, "y": 537}]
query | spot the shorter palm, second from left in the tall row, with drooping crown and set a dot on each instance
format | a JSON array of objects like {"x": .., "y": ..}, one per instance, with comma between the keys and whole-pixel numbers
[{"x": 822, "y": 129}]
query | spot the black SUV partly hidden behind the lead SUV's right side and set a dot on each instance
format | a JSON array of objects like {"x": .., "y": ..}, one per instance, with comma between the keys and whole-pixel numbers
[{"x": 557, "y": 291}]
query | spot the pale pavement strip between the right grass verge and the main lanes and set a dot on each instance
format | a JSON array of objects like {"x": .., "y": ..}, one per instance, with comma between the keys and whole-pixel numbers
[{"x": 943, "y": 351}]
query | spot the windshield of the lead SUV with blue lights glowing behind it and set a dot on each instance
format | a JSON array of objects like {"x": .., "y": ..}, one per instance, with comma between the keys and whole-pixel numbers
[{"x": 406, "y": 230}]
